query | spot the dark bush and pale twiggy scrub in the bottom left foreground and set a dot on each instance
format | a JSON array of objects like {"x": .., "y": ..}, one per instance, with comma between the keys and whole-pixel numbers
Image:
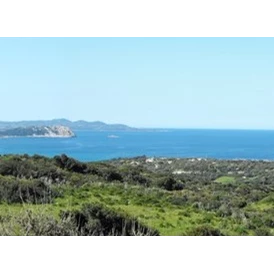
[{"x": 91, "y": 220}]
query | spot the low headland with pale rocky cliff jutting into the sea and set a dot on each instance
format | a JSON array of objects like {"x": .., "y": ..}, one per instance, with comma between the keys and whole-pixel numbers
[{"x": 44, "y": 131}]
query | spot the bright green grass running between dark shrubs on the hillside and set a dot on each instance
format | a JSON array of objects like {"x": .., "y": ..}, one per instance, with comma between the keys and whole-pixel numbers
[{"x": 152, "y": 207}]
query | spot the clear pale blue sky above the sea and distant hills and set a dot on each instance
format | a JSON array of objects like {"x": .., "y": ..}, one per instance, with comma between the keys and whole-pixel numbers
[{"x": 142, "y": 82}]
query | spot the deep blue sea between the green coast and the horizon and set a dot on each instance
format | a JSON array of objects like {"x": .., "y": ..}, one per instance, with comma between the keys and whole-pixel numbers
[{"x": 93, "y": 146}]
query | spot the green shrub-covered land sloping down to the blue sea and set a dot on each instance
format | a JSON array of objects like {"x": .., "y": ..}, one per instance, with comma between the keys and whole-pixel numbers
[{"x": 138, "y": 196}]
